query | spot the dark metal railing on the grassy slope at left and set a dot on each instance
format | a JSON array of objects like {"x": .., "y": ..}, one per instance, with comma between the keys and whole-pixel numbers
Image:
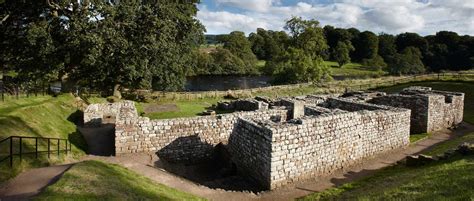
[{"x": 21, "y": 140}]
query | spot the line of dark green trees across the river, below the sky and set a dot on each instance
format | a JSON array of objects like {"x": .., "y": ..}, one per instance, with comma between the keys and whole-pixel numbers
[{"x": 406, "y": 53}]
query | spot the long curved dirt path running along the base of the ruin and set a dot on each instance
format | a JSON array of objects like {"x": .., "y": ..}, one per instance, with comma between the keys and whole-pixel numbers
[{"x": 142, "y": 164}]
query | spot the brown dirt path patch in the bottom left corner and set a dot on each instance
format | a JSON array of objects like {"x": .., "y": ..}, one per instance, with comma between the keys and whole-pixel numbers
[{"x": 32, "y": 182}]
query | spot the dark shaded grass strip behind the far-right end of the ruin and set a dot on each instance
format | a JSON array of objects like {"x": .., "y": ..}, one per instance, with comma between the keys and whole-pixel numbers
[{"x": 465, "y": 87}]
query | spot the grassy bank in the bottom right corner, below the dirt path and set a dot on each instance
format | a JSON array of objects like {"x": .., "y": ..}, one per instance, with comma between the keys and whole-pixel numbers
[{"x": 445, "y": 180}]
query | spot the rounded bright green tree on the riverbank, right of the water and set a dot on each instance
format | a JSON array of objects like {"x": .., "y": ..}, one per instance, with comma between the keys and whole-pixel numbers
[{"x": 296, "y": 66}]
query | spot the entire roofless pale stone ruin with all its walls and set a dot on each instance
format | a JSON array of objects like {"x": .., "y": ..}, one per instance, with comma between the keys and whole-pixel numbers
[{"x": 281, "y": 141}]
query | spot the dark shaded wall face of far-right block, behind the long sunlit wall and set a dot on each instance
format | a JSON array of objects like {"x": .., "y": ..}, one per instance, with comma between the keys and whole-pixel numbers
[{"x": 417, "y": 104}]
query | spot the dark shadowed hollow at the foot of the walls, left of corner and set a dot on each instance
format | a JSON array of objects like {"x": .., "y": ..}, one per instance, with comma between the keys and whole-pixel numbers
[{"x": 196, "y": 160}]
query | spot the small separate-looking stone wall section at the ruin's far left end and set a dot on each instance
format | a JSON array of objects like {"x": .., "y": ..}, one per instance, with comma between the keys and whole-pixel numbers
[{"x": 96, "y": 113}]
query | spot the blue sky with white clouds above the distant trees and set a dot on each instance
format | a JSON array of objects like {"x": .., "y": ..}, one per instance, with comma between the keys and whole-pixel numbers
[{"x": 390, "y": 16}]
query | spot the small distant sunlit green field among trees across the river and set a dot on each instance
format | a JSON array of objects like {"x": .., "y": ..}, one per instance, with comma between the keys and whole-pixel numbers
[{"x": 353, "y": 70}]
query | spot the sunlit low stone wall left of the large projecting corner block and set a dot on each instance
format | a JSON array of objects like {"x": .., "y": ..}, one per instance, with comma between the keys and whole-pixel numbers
[{"x": 182, "y": 139}]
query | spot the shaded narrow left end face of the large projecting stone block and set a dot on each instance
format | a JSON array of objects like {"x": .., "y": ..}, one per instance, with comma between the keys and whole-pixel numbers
[{"x": 250, "y": 145}]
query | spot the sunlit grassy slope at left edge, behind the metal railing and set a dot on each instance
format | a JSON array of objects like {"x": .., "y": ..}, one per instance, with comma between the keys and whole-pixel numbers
[{"x": 43, "y": 116}]
